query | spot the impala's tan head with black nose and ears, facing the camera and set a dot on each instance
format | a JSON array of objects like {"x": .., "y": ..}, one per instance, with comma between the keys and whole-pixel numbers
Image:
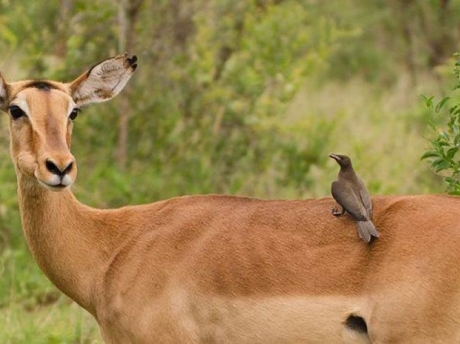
[{"x": 41, "y": 115}]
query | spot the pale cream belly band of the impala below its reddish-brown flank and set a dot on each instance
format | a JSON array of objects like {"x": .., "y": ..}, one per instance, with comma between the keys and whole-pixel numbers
[{"x": 286, "y": 319}]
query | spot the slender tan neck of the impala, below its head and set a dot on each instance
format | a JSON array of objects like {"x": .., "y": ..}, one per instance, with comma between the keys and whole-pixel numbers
[{"x": 63, "y": 238}]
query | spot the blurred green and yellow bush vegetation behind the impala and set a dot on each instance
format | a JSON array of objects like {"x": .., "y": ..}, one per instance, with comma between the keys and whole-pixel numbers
[{"x": 241, "y": 97}]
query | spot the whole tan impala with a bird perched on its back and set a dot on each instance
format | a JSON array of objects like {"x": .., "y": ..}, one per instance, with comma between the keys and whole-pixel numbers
[{"x": 225, "y": 269}]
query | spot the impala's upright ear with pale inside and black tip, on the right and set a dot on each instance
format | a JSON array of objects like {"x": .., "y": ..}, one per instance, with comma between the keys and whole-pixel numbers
[{"x": 104, "y": 80}]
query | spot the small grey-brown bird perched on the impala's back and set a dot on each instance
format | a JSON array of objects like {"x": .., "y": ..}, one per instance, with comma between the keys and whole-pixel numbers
[{"x": 351, "y": 194}]
